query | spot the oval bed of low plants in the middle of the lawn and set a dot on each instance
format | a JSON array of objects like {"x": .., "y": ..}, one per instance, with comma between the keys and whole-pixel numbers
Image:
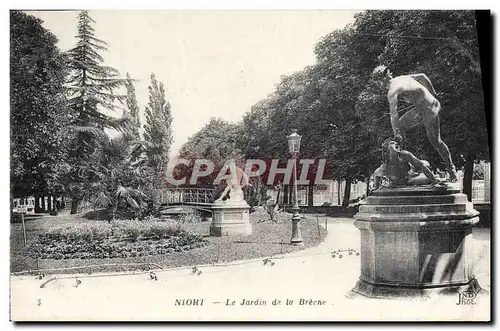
[{"x": 121, "y": 238}]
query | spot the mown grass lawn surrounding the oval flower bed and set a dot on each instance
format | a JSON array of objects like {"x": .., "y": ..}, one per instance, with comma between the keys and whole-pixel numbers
[{"x": 267, "y": 239}]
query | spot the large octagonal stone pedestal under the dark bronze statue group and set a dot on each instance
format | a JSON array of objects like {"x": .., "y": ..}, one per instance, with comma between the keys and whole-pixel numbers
[{"x": 415, "y": 241}]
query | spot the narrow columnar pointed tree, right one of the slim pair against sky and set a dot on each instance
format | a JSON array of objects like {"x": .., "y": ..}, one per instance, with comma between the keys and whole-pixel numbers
[{"x": 158, "y": 127}]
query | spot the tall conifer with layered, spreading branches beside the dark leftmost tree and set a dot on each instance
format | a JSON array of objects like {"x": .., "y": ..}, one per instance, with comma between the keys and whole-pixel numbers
[{"x": 92, "y": 88}]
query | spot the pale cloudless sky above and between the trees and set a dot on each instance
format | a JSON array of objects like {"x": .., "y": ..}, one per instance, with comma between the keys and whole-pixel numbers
[{"x": 212, "y": 63}]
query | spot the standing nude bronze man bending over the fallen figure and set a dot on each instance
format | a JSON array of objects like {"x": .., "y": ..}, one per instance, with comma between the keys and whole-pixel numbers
[{"x": 418, "y": 90}]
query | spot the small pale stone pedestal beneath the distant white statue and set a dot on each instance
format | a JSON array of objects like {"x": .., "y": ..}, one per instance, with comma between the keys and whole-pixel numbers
[{"x": 230, "y": 218}]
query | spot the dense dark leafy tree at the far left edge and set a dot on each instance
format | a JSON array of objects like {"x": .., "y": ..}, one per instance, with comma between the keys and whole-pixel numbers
[{"x": 37, "y": 107}]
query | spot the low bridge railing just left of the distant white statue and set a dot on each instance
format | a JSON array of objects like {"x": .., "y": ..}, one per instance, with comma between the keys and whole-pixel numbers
[{"x": 187, "y": 195}]
